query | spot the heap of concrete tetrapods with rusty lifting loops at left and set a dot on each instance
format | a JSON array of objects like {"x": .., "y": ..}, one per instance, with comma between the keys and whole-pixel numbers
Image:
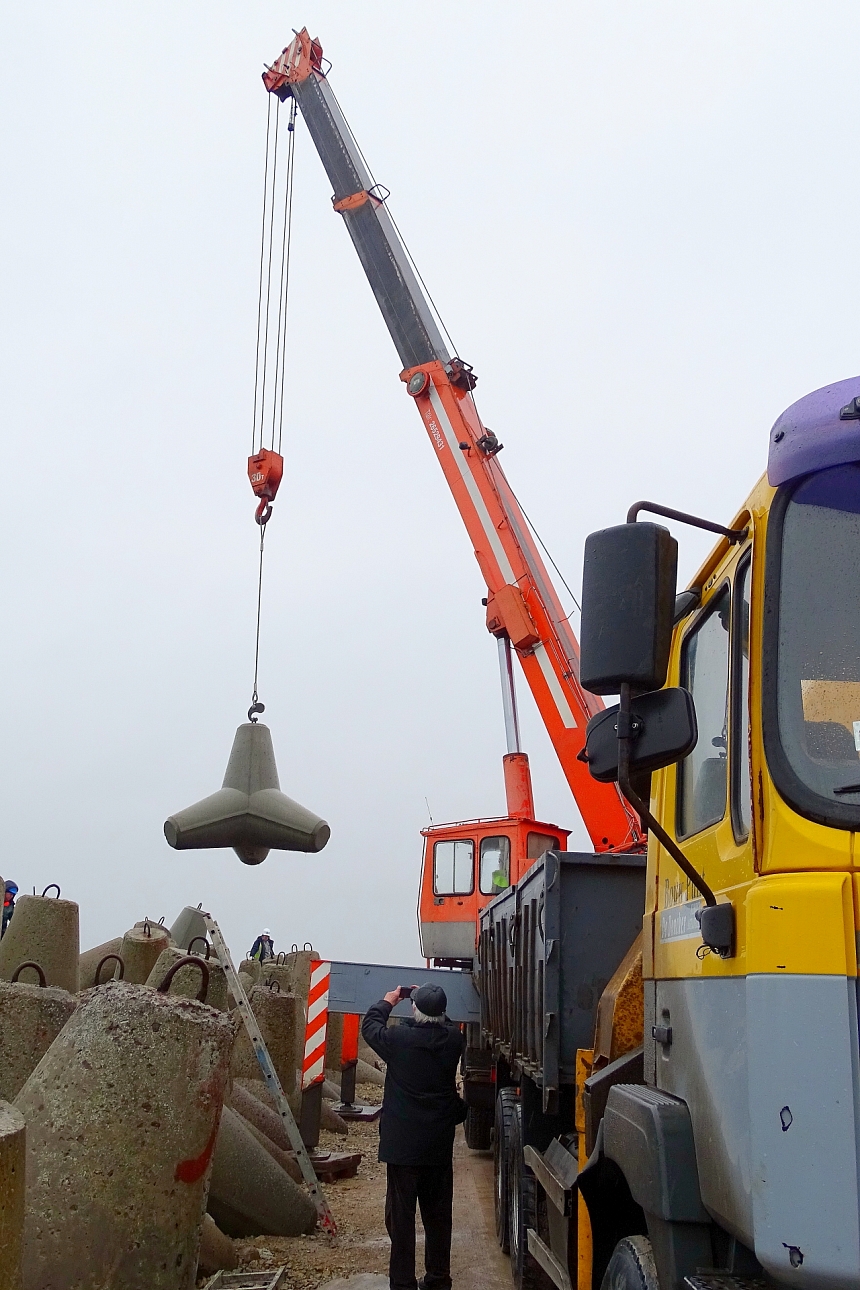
[{"x": 137, "y": 1135}]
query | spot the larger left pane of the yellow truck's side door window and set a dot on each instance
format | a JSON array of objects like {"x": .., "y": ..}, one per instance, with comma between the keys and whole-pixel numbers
[{"x": 705, "y": 671}]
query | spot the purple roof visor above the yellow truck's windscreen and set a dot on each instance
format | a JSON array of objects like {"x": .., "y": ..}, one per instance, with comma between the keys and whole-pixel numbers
[{"x": 812, "y": 435}]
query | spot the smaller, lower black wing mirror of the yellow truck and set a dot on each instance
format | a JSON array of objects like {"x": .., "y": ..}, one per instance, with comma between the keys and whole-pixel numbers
[{"x": 663, "y": 732}]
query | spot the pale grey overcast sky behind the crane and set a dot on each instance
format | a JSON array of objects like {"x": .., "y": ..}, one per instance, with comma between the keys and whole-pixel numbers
[{"x": 640, "y": 224}]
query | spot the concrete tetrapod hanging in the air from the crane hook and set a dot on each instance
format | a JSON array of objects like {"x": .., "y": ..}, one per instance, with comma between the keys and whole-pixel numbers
[{"x": 249, "y": 813}]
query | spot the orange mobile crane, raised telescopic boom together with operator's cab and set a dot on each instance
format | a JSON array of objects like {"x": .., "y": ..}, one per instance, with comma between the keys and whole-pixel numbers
[{"x": 523, "y": 608}]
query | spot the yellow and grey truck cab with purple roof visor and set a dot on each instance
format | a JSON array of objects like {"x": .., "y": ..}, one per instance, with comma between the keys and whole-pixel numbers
[{"x": 759, "y": 1038}]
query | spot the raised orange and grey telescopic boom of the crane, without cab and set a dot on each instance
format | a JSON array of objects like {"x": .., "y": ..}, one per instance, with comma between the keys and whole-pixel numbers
[{"x": 522, "y": 599}]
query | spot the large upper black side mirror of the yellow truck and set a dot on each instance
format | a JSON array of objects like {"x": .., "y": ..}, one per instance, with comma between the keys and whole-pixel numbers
[{"x": 629, "y": 604}]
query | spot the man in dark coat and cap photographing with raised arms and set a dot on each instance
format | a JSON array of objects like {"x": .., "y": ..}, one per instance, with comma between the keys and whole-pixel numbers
[{"x": 421, "y": 1110}]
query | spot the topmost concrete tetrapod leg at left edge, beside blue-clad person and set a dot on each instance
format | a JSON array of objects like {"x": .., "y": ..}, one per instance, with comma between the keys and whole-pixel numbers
[{"x": 43, "y": 931}]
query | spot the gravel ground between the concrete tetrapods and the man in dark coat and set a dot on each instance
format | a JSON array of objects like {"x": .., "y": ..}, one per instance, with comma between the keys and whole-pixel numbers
[{"x": 358, "y": 1203}]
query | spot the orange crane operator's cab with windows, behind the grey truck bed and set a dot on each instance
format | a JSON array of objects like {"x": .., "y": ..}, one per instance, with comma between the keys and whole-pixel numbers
[{"x": 466, "y": 865}]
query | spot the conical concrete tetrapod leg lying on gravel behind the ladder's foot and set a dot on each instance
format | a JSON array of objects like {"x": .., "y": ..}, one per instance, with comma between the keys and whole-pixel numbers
[{"x": 249, "y": 1194}]
